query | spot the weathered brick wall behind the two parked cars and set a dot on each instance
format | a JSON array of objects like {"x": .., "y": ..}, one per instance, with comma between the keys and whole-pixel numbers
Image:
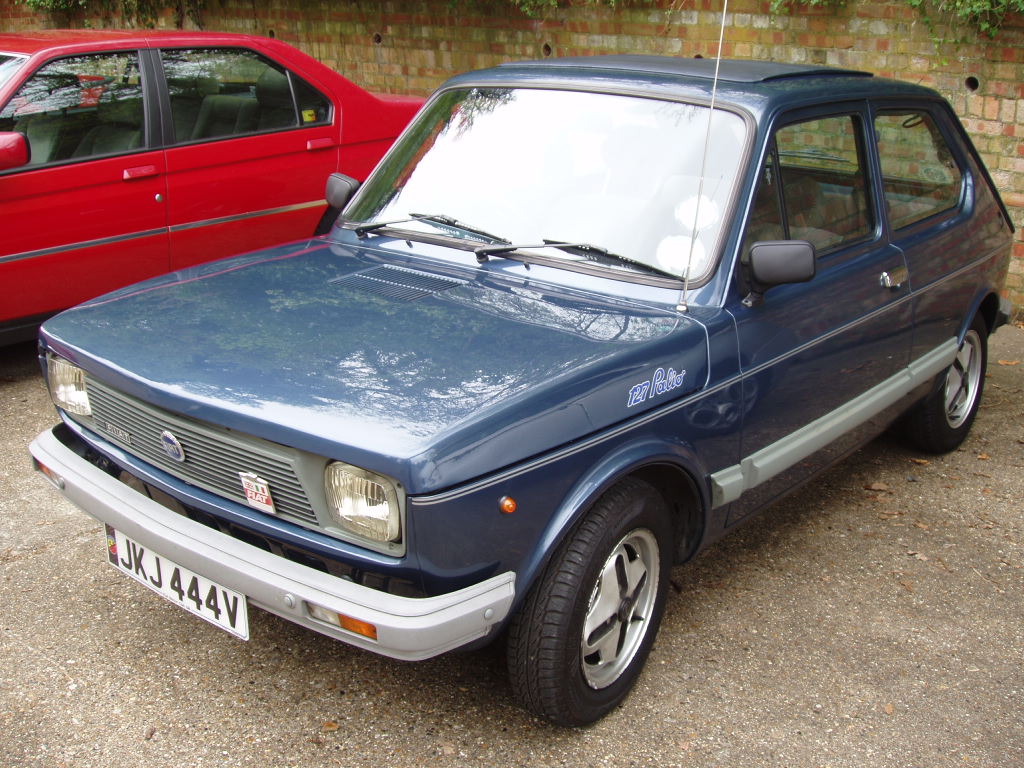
[{"x": 410, "y": 47}]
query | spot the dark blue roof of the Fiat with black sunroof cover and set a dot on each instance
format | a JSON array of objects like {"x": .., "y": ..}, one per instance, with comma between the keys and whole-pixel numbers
[{"x": 758, "y": 87}]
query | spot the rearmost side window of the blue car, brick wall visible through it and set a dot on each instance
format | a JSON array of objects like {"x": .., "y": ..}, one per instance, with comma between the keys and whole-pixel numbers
[{"x": 919, "y": 174}]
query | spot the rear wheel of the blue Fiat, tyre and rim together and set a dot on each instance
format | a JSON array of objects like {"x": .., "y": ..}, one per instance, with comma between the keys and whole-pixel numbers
[{"x": 942, "y": 421}]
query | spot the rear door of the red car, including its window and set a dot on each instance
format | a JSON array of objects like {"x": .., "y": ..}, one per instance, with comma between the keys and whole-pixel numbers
[{"x": 253, "y": 146}]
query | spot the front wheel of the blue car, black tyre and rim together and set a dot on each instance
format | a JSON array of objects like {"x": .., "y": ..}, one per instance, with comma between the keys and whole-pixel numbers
[{"x": 579, "y": 643}]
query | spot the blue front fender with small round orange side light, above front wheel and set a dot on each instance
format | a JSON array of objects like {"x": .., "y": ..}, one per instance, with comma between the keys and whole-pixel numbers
[{"x": 465, "y": 533}]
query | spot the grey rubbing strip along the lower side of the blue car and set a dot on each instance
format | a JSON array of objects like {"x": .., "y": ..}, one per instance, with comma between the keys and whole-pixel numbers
[{"x": 730, "y": 484}]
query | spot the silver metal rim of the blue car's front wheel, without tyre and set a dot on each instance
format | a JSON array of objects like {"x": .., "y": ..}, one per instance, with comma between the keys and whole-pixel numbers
[{"x": 621, "y": 609}]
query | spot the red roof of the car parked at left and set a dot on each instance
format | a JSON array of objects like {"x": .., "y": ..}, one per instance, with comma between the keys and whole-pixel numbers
[{"x": 72, "y": 41}]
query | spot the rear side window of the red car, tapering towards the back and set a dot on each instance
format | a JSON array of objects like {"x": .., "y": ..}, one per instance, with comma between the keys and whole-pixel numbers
[{"x": 232, "y": 92}]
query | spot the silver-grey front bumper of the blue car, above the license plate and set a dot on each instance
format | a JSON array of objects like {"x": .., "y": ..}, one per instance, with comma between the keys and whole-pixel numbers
[{"x": 407, "y": 628}]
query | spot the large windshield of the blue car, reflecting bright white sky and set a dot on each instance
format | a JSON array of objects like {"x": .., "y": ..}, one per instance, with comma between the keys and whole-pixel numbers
[{"x": 622, "y": 174}]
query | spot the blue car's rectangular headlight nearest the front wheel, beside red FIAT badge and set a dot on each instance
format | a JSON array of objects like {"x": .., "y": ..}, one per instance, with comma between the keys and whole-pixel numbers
[{"x": 363, "y": 503}]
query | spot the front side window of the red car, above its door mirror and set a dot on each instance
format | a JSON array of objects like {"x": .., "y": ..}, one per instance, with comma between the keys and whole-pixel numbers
[{"x": 79, "y": 108}]
